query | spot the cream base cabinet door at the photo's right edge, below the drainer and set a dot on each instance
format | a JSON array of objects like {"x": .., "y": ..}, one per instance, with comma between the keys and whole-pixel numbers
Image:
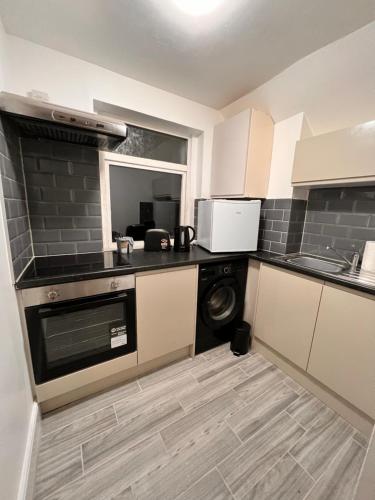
[{"x": 343, "y": 350}]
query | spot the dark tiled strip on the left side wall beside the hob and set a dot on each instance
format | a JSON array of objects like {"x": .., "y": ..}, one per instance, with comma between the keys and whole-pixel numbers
[{"x": 13, "y": 189}]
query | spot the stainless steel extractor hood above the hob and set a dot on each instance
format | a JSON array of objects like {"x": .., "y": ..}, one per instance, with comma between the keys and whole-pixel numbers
[{"x": 45, "y": 120}]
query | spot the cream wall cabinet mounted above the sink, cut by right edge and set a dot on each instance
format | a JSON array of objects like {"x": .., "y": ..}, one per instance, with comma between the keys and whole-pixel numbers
[{"x": 340, "y": 157}]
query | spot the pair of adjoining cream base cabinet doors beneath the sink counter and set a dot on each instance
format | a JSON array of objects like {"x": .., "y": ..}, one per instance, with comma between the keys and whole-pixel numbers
[{"x": 325, "y": 329}]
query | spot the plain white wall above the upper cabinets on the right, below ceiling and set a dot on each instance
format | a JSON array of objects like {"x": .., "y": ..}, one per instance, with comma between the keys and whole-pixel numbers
[{"x": 334, "y": 87}]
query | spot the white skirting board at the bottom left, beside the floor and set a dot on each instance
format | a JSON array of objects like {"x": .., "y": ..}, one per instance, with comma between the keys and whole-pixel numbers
[{"x": 25, "y": 489}]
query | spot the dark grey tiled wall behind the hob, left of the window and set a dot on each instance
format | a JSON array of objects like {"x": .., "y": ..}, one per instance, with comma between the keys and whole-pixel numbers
[{"x": 63, "y": 197}]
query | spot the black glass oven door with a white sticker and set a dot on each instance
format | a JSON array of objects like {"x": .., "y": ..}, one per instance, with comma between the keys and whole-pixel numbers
[{"x": 72, "y": 335}]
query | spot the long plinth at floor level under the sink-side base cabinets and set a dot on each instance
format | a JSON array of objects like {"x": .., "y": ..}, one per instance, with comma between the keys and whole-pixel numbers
[{"x": 358, "y": 419}]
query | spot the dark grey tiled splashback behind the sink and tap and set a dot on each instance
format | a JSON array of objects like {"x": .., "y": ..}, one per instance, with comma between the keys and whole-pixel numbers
[{"x": 342, "y": 217}]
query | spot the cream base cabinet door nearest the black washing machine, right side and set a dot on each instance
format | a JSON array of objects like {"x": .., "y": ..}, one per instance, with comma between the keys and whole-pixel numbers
[{"x": 287, "y": 306}]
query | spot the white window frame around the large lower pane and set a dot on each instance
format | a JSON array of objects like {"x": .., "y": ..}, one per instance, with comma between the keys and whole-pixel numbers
[{"x": 106, "y": 159}]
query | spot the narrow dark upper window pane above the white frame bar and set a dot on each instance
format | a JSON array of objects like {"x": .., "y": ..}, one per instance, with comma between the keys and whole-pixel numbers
[{"x": 146, "y": 143}]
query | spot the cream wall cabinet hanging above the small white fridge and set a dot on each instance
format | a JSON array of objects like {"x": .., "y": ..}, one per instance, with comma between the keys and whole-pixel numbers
[{"x": 241, "y": 155}]
